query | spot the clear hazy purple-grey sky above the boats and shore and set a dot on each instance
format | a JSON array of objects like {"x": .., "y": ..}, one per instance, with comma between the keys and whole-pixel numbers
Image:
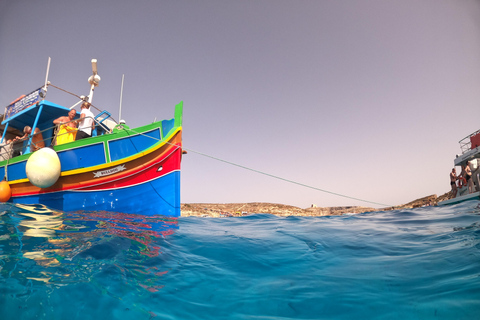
[{"x": 363, "y": 98}]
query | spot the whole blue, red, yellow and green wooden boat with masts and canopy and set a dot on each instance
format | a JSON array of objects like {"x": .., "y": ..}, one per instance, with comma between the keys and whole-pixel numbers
[{"x": 117, "y": 169}]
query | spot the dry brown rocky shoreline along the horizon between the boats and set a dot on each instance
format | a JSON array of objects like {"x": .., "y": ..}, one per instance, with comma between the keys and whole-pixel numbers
[{"x": 243, "y": 209}]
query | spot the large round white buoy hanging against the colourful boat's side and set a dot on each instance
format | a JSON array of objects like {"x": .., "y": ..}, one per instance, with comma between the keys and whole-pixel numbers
[{"x": 43, "y": 168}]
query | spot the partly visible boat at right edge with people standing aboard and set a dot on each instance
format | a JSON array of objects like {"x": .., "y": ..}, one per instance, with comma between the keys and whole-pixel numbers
[{"x": 470, "y": 147}]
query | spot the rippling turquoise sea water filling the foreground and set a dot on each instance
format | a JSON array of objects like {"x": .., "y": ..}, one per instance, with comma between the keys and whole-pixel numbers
[{"x": 412, "y": 264}]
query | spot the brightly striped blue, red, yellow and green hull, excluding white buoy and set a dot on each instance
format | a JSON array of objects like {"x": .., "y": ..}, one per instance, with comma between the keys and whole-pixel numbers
[{"x": 129, "y": 171}]
